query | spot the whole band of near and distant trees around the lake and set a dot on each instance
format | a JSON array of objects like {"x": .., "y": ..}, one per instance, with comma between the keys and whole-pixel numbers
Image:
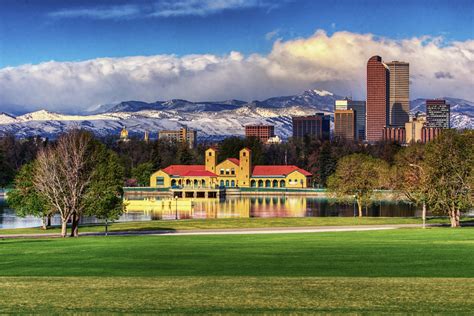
[{"x": 79, "y": 174}]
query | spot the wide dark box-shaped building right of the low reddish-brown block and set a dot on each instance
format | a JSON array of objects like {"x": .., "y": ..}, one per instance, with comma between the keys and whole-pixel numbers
[{"x": 317, "y": 126}]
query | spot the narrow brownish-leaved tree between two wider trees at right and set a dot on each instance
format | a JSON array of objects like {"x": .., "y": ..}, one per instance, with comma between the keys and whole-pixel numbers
[{"x": 409, "y": 175}]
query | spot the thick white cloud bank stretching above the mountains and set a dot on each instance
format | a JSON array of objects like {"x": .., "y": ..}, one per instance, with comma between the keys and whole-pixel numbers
[{"x": 336, "y": 63}]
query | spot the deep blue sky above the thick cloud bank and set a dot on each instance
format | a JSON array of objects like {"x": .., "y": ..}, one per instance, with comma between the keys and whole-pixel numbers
[{"x": 36, "y": 31}]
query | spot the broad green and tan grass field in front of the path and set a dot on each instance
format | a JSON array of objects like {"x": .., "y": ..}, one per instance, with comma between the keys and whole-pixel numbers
[{"x": 405, "y": 270}]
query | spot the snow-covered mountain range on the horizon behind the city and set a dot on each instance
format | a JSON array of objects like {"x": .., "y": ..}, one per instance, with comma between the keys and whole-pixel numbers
[{"x": 212, "y": 120}]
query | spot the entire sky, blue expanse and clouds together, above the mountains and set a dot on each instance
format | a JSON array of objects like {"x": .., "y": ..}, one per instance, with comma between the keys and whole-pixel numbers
[{"x": 64, "y": 55}]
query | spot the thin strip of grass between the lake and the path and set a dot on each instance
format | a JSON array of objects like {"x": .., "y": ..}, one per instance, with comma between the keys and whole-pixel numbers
[{"x": 239, "y": 223}]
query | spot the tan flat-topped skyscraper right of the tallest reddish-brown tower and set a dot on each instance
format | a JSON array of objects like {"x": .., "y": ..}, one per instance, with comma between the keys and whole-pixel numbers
[{"x": 399, "y": 102}]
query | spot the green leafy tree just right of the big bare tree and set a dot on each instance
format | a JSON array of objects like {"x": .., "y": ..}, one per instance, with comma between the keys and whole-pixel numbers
[{"x": 104, "y": 194}]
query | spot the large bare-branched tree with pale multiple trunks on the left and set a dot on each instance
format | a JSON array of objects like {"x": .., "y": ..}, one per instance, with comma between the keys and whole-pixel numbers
[{"x": 63, "y": 174}]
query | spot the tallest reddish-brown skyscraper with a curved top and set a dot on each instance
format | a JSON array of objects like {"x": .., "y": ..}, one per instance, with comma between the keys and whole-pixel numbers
[{"x": 378, "y": 95}]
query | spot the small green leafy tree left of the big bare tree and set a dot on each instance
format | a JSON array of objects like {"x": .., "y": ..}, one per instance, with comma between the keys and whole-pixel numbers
[{"x": 26, "y": 200}]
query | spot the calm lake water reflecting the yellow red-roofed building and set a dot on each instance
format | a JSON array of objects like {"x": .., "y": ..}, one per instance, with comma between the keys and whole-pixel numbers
[{"x": 238, "y": 207}]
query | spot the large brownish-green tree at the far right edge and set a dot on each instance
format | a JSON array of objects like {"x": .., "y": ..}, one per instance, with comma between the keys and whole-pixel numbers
[{"x": 450, "y": 178}]
